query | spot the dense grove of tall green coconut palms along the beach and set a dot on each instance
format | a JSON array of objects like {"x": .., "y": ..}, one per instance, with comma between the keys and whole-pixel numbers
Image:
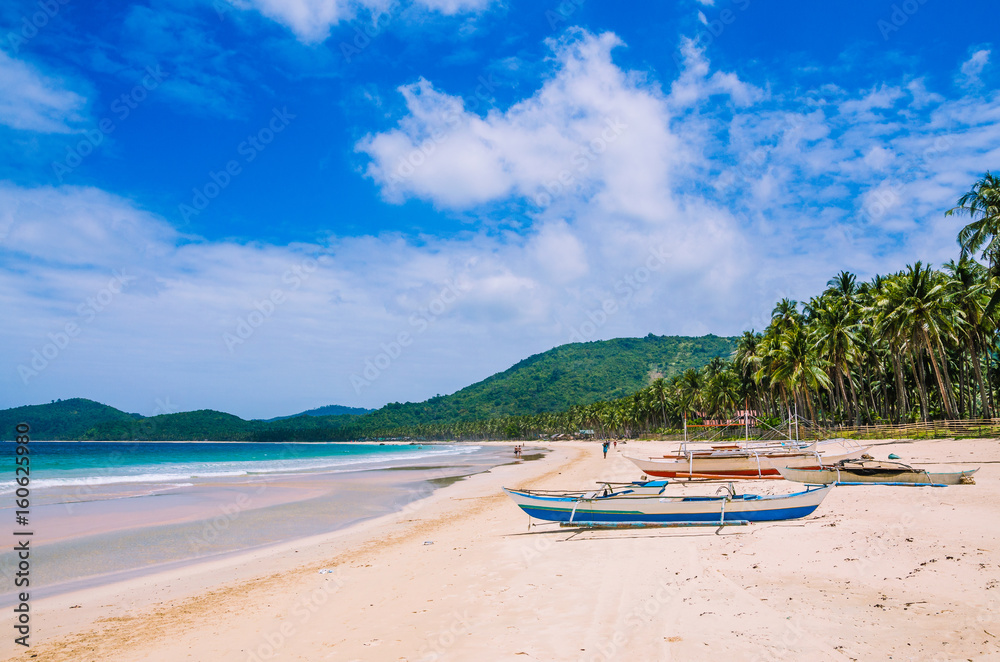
[{"x": 917, "y": 345}]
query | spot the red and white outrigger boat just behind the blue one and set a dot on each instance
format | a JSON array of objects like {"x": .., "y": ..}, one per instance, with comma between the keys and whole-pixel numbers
[{"x": 746, "y": 461}]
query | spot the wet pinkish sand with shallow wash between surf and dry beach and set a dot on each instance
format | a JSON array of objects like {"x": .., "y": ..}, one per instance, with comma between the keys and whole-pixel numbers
[{"x": 98, "y": 533}]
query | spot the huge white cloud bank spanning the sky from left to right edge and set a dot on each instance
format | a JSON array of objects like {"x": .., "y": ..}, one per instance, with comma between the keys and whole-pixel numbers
[{"x": 681, "y": 212}]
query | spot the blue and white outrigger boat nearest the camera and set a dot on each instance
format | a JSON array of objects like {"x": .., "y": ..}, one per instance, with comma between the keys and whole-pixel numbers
[{"x": 624, "y": 509}]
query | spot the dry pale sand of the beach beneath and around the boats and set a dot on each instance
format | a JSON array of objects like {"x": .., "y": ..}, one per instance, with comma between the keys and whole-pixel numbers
[{"x": 876, "y": 573}]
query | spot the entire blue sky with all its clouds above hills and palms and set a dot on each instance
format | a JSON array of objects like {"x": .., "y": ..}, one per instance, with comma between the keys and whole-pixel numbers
[{"x": 262, "y": 207}]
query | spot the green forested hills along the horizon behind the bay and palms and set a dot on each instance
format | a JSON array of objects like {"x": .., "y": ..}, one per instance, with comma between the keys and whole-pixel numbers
[{"x": 556, "y": 380}]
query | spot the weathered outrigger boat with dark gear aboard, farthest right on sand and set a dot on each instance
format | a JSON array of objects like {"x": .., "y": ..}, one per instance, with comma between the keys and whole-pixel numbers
[{"x": 875, "y": 472}]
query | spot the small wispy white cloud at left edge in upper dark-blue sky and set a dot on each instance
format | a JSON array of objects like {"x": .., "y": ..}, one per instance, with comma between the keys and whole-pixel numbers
[{"x": 32, "y": 101}]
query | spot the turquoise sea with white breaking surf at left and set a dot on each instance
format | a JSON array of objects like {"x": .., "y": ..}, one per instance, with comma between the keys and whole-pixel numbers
[{"x": 88, "y": 464}]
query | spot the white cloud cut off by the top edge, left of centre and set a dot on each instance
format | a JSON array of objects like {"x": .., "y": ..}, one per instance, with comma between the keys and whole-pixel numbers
[{"x": 311, "y": 20}]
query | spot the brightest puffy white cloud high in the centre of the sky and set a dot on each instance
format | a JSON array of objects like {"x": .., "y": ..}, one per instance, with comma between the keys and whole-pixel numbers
[{"x": 591, "y": 131}]
